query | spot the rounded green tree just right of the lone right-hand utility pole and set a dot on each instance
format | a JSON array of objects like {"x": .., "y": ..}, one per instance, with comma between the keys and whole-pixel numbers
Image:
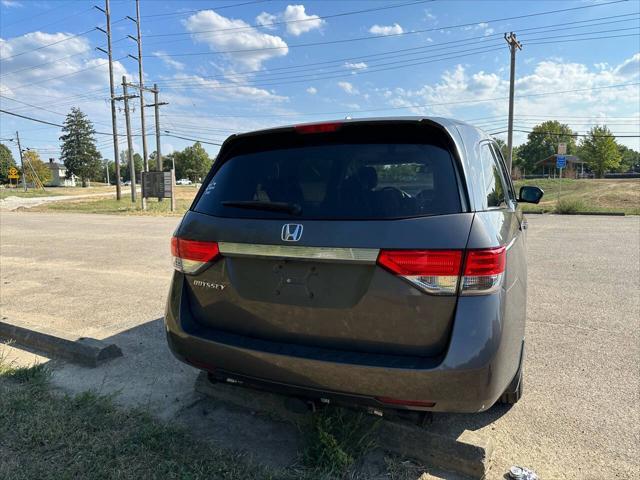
[{"x": 543, "y": 142}]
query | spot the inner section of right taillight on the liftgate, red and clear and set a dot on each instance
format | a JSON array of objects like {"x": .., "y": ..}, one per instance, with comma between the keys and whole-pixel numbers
[{"x": 432, "y": 271}]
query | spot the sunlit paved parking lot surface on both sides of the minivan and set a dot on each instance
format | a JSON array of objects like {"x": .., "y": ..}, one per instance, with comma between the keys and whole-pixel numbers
[{"x": 107, "y": 276}]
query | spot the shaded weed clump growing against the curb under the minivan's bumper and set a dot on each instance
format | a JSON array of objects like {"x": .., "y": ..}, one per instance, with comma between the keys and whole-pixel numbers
[{"x": 337, "y": 439}]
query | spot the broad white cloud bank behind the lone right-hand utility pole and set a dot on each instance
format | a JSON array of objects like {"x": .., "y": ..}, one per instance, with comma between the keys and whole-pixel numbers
[{"x": 481, "y": 87}]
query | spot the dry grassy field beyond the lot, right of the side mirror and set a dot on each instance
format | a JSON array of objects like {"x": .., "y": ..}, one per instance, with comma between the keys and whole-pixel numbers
[{"x": 588, "y": 195}]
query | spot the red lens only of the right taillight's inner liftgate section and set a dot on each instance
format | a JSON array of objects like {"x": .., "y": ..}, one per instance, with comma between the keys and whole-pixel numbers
[{"x": 421, "y": 262}]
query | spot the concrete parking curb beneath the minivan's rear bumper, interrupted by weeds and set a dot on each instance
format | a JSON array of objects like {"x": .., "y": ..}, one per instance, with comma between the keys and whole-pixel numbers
[{"x": 468, "y": 454}]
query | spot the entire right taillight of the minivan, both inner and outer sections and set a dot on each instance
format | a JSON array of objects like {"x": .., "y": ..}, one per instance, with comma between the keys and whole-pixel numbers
[{"x": 438, "y": 272}]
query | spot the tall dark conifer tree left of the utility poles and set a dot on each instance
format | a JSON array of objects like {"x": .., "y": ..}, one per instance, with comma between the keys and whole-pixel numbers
[{"x": 79, "y": 152}]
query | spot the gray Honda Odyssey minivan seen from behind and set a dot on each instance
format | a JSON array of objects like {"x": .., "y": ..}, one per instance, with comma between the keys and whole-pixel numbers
[{"x": 377, "y": 262}]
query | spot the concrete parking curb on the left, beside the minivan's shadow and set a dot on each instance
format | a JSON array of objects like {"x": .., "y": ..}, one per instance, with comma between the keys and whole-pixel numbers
[{"x": 86, "y": 351}]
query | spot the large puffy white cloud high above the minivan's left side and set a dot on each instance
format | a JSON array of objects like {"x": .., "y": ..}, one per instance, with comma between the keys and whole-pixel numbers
[{"x": 245, "y": 38}]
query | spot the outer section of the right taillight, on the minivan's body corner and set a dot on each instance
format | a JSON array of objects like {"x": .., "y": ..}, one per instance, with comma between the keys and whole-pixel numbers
[{"x": 483, "y": 271}]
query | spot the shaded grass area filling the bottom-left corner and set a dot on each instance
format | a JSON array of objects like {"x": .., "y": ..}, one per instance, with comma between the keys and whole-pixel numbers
[{"x": 47, "y": 436}]
